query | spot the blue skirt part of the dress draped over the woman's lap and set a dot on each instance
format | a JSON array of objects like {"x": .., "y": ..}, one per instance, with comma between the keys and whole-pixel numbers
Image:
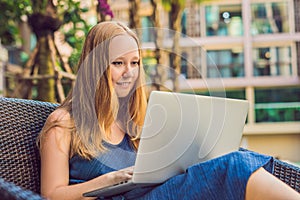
[{"x": 224, "y": 177}]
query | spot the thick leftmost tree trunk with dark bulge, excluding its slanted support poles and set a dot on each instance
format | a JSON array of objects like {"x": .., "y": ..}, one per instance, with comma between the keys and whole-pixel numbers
[{"x": 44, "y": 24}]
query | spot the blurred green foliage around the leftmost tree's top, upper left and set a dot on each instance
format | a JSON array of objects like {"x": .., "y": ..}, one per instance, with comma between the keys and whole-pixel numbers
[{"x": 68, "y": 11}]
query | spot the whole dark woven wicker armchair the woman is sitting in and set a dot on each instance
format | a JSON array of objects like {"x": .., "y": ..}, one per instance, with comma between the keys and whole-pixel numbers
[{"x": 21, "y": 121}]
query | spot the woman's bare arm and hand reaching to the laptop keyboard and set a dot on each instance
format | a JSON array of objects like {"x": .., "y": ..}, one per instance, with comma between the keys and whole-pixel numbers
[{"x": 55, "y": 147}]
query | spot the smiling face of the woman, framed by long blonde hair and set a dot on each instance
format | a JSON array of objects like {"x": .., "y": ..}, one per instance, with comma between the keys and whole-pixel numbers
[{"x": 124, "y": 63}]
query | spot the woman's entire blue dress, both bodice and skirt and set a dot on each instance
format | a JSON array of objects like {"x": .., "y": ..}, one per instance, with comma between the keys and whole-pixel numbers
[{"x": 223, "y": 178}]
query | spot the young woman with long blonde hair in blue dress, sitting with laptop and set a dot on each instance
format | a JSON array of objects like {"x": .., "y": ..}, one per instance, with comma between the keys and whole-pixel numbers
[{"x": 90, "y": 141}]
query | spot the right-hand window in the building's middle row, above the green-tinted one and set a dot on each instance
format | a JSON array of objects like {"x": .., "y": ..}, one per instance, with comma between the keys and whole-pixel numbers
[{"x": 272, "y": 61}]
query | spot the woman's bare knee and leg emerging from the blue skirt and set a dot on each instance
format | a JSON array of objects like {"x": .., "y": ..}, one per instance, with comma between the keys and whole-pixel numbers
[{"x": 263, "y": 185}]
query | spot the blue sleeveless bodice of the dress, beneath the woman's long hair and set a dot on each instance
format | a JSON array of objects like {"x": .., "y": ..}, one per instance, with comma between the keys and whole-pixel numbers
[{"x": 116, "y": 157}]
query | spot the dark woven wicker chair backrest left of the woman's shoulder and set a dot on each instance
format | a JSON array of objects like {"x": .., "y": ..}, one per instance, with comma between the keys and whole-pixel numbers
[{"x": 20, "y": 122}]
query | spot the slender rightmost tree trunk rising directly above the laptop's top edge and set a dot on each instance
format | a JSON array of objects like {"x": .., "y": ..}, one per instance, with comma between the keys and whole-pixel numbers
[{"x": 175, "y": 21}]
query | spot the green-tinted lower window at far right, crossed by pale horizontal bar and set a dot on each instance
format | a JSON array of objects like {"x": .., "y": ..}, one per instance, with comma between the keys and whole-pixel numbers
[{"x": 277, "y": 105}]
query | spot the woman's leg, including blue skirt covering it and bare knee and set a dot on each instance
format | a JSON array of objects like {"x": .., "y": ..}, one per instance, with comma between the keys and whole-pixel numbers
[{"x": 237, "y": 176}]
